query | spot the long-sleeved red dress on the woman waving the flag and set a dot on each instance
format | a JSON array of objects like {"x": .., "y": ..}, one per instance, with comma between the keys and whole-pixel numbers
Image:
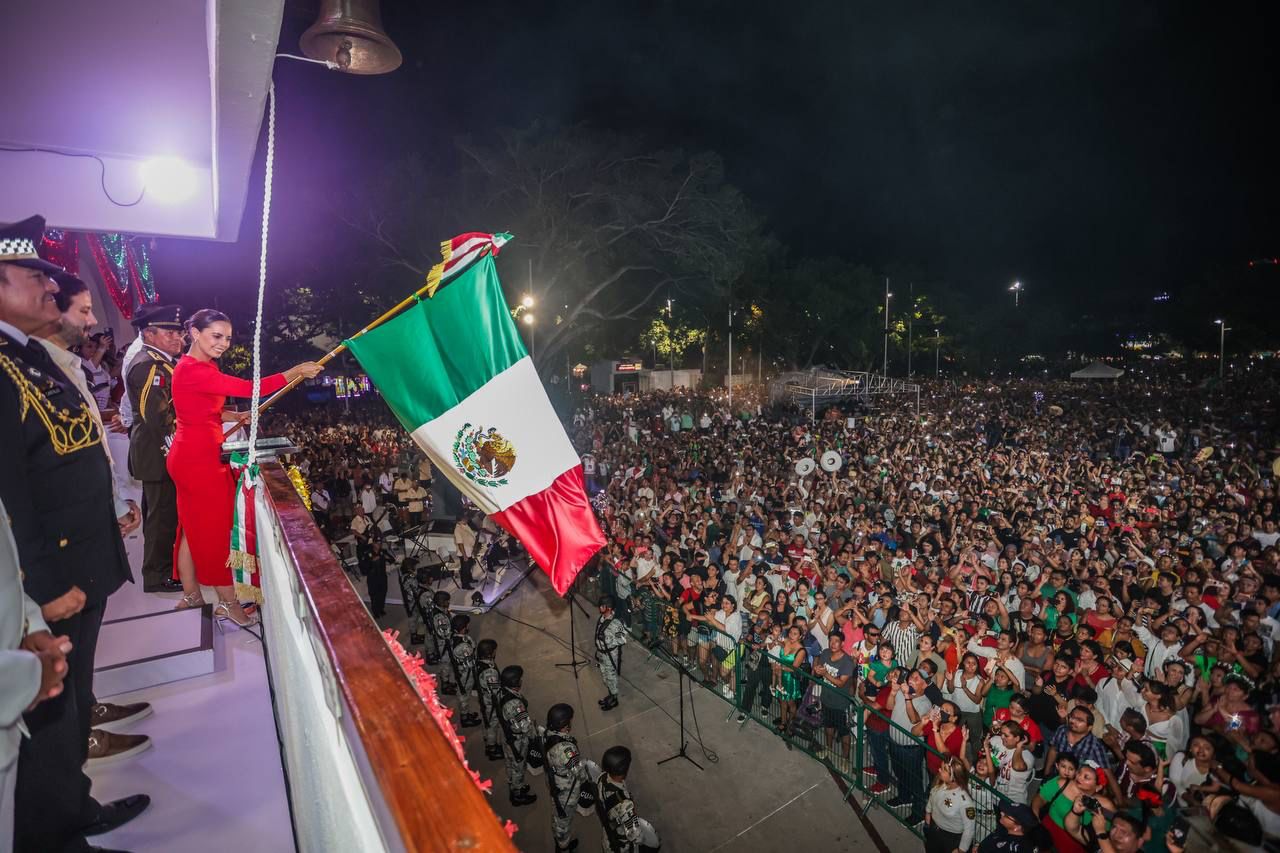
[{"x": 207, "y": 490}]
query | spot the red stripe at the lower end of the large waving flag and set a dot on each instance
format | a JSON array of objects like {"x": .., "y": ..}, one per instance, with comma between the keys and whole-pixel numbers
[{"x": 557, "y": 527}]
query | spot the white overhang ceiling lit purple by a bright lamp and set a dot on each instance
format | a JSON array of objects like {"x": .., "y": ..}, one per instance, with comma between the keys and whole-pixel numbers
[{"x": 131, "y": 81}]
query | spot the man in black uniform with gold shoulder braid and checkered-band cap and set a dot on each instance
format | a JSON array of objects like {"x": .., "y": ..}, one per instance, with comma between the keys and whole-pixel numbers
[{"x": 57, "y": 485}]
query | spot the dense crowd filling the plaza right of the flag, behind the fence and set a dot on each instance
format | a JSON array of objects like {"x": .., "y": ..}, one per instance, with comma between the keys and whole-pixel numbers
[{"x": 1059, "y": 600}]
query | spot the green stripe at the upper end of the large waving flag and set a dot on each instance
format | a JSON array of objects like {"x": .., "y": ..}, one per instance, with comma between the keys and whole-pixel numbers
[{"x": 436, "y": 354}]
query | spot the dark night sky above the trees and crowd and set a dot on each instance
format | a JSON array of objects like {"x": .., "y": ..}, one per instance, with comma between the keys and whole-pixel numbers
[{"x": 1080, "y": 148}]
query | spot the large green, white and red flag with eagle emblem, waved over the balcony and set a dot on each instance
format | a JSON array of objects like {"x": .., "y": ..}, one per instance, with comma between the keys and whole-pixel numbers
[{"x": 455, "y": 372}]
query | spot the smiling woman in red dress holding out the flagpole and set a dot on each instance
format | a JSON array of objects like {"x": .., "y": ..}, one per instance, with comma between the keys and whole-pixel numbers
[{"x": 207, "y": 489}]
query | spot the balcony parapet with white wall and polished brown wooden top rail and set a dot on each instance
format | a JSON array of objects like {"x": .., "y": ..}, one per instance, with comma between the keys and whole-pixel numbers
[{"x": 418, "y": 793}]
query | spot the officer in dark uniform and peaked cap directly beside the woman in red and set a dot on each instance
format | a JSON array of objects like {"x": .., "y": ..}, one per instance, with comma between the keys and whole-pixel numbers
[{"x": 150, "y": 387}]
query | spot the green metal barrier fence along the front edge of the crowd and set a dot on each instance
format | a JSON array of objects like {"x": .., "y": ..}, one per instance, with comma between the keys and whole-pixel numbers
[{"x": 884, "y": 761}]
